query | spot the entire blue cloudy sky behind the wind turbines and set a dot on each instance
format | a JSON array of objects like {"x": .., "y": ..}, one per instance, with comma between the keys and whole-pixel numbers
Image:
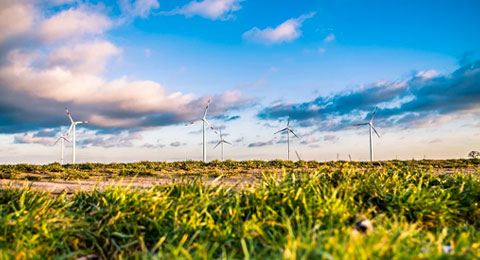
[{"x": 139, "y": 70}]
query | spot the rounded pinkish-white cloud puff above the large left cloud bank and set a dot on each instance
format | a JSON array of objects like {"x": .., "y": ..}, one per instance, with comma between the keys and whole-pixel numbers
[{"x": 74, "y": 23}]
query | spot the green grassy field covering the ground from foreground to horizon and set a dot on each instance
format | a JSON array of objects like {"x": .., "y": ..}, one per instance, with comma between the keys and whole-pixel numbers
[{"x": 292, "y": 210}]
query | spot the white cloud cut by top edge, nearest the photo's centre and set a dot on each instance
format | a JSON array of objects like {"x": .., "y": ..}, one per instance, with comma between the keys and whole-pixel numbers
[{"x": 211, "y": 9}]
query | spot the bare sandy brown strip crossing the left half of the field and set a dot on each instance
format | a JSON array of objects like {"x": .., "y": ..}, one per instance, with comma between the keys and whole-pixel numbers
[{"x": 59, "y": 186}]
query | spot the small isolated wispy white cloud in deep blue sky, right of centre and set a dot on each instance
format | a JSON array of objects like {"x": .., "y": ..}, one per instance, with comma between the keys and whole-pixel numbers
[{"x": 285, "y": 32}]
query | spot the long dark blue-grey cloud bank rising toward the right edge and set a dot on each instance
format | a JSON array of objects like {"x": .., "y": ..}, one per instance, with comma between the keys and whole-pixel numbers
[{"x": 422, "y": 100}]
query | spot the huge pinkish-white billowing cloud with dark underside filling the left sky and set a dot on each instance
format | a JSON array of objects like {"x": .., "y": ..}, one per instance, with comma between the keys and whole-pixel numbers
[{"x": 39, "y": 78}]
